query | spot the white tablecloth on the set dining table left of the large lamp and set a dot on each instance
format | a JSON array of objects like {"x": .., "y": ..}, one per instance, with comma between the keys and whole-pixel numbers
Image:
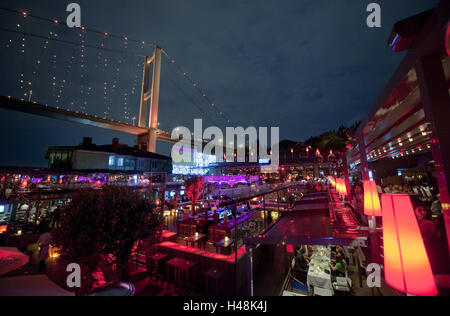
[{"x": 320, "y": 260}]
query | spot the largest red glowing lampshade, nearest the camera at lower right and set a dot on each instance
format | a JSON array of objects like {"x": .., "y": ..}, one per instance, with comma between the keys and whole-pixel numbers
[{"x": 407, "y": 267}]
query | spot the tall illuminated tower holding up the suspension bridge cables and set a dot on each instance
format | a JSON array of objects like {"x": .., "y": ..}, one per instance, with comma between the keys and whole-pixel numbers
[{"x": 150, "y": 101}]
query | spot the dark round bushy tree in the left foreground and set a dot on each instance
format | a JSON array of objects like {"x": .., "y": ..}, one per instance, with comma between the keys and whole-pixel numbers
[{"x": 106, "y": 223}]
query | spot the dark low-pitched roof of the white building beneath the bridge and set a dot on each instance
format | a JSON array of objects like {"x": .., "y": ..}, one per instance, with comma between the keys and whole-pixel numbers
[{"x": 119, "y": 150}]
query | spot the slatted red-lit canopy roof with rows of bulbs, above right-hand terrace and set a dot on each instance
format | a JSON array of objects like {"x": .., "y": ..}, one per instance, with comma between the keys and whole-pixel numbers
[{"x": 396, "y": 125}]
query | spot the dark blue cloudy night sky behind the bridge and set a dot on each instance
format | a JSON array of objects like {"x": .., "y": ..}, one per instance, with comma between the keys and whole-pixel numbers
[{"x": 306, "y": 66}]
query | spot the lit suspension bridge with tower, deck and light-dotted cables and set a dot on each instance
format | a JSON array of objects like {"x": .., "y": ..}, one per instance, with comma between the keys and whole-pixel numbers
[{"x": 91, "y": 77}]
